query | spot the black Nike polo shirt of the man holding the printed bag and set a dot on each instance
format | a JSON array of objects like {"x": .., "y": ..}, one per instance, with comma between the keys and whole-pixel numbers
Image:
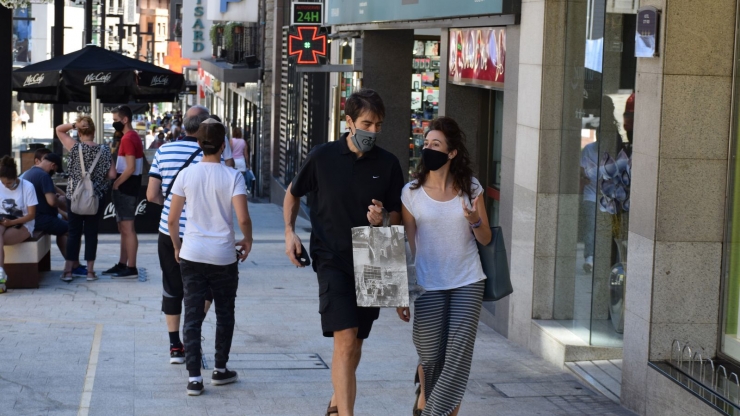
[{"x": 343, "y": 187}]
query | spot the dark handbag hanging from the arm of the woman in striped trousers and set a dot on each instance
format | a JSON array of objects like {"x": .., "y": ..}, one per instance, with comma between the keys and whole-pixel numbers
[{"x": 495, "y": 267}]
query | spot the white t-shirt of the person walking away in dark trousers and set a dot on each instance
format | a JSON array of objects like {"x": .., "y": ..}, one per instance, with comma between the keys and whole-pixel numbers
[{"x": 209, "y": 231}]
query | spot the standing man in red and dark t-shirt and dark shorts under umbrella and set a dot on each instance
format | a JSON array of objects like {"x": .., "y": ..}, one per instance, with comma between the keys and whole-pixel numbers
[{"x": 129, "y": 167}]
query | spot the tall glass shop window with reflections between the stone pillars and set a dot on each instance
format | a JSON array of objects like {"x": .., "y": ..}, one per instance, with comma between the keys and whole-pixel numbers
[{"x": 595, "y": 171}]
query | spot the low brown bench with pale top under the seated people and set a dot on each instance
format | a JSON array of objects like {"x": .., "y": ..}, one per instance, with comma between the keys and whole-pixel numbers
[{"x": 25, "y": 261}]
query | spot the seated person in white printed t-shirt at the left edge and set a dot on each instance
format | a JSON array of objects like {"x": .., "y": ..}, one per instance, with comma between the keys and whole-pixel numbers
[{"x": 17, "y": 209}]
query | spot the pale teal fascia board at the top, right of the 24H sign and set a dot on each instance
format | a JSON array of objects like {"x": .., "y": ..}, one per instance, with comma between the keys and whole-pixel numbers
[{"x": 341, "y": 12}]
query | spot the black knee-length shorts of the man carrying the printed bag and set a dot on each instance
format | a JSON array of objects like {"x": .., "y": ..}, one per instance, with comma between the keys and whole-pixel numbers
[{"x": 338, "y": 303}]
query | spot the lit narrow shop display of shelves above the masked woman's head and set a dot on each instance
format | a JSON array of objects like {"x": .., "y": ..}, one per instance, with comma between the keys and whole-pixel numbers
[{"x": 424, "y": 95}]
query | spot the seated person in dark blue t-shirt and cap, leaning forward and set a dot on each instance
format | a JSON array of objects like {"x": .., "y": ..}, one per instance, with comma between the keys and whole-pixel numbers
[{"x": 46, "y": 164}]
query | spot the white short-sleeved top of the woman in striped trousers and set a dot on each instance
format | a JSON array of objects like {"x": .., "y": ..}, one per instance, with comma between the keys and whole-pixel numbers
[{"x": 446, "y": 252}]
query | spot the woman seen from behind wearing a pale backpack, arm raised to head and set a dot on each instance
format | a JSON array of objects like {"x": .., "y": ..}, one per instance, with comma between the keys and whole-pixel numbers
[{"x": 86, "y": 158}]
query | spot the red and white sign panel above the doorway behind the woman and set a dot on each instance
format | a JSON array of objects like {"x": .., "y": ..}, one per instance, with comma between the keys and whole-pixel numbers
[{"x": 477, "y": 57}]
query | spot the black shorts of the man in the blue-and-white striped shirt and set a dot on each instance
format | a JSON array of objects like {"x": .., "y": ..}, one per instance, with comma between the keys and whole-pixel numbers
[{"x": 172, "y": 293}]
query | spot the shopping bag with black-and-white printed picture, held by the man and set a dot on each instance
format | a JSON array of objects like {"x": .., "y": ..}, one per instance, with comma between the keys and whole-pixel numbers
[{"x": 379, "y": 256}]
